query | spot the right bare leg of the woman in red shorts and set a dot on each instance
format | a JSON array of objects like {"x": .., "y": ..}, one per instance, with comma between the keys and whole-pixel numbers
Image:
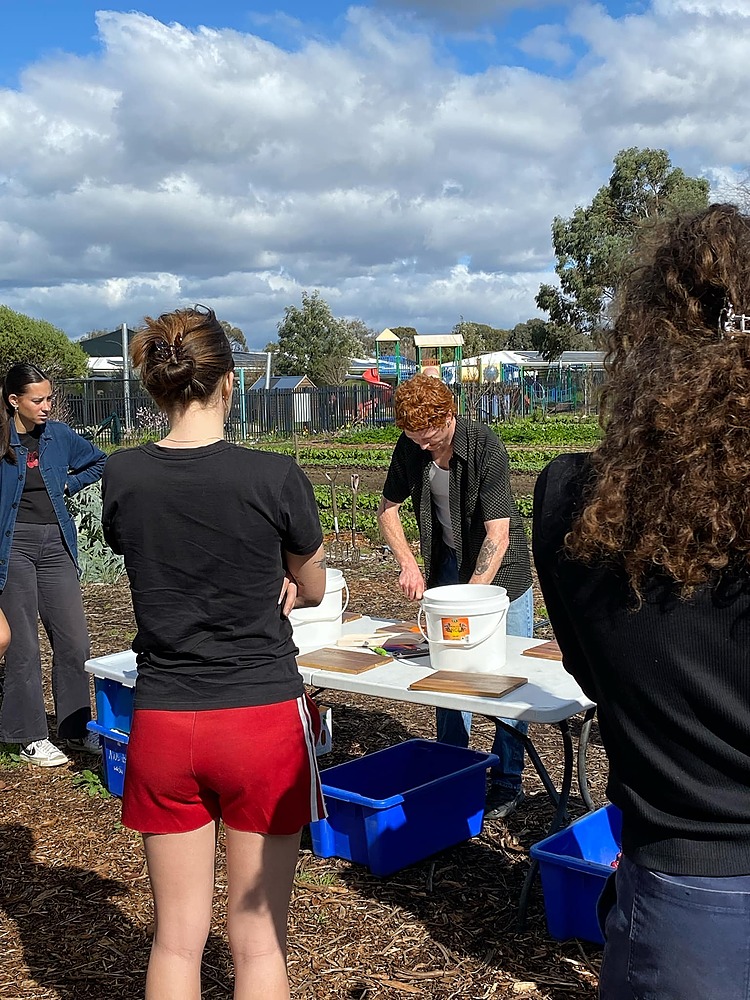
[{"x": 260, "y": 873}]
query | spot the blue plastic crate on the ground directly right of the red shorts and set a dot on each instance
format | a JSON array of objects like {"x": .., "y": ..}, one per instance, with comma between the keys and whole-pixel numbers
[{"x": 397, "y": 806}]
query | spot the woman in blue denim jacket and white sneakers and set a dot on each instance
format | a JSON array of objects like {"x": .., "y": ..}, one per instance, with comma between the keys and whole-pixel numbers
[{"x": 41, "y": 462}]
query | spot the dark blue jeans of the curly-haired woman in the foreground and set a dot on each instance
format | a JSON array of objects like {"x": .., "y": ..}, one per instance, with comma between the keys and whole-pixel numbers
[{"x": 676, "y": 937}]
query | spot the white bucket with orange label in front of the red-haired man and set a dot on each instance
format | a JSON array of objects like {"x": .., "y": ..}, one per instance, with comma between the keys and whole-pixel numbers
[{"x": 465, "y": 627}]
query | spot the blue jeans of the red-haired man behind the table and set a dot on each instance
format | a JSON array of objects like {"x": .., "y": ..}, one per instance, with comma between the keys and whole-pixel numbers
[{"x": 454, "y": 727}]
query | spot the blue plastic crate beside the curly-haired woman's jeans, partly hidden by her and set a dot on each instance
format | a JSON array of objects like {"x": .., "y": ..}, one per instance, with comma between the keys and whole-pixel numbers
[{"x": 574, "y": 864}]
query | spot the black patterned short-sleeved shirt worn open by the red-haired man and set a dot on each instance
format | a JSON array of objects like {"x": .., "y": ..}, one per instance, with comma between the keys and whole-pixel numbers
[{"x": 479, "y": 491}]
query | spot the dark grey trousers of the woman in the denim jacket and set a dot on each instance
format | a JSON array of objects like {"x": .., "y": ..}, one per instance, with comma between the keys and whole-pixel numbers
[{"x": 43, "y": 583}]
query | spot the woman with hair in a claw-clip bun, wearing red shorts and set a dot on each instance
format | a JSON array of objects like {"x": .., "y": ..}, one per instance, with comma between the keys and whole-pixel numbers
[{"x": 220, "y": 543}]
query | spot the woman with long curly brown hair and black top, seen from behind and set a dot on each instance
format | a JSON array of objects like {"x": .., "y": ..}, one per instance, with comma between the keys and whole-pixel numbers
[{"x": 643, "y": 554}]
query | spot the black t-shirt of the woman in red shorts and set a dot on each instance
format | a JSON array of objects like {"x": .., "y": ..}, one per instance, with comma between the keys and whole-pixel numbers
[{"x": 202, "y": 532}]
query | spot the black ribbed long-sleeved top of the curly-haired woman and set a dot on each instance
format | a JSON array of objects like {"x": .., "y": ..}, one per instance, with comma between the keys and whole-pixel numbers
[{"x": 672, "y": 685}]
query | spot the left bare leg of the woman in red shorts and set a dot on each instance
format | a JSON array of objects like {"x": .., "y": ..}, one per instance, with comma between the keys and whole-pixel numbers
[{"x": 181, "y": 869}]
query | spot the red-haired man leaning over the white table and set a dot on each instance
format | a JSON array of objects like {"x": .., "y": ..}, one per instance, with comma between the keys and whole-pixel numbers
[{"x": 456, "y": 473}]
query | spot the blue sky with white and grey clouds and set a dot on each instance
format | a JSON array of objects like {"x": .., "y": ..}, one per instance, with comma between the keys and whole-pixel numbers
[{"x": 404, "y": 159}]
